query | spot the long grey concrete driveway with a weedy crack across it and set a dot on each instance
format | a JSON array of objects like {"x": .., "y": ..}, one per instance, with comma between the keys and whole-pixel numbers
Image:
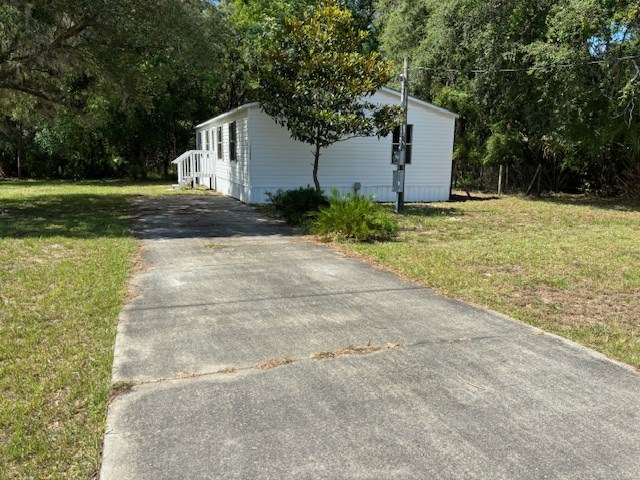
[{"x": 236, "y": 344}]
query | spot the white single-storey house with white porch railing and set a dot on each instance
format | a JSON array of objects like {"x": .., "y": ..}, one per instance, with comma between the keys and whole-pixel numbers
[{"x": 244, "y": 153}]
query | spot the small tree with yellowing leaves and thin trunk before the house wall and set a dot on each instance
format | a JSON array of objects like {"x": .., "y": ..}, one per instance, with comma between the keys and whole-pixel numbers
[{"x": 315, "y": 79}]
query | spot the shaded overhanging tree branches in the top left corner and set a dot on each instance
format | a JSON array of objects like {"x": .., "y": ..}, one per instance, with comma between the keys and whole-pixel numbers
[{"x": 50, "y": 48}]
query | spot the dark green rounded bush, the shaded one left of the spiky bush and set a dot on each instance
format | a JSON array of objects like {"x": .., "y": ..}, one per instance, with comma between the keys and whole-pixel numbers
[{"x": 297, "y": 206}]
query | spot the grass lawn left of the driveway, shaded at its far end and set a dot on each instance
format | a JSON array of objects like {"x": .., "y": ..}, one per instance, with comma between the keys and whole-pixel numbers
[{"x": 66, "y": 252}]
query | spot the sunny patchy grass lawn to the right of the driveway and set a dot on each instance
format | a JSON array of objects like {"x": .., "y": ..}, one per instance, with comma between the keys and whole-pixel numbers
[{"x": 566, "y": 264}]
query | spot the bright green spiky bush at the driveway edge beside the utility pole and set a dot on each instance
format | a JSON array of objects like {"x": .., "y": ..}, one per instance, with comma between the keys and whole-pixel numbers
[{"x": 354, "y": 217}]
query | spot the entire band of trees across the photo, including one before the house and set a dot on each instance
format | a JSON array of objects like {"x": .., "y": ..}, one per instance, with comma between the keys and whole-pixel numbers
[{"x": 91, "y": 88}]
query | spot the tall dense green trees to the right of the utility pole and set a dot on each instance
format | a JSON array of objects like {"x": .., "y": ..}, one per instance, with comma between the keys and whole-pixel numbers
[{"x": 570, "y": 94}]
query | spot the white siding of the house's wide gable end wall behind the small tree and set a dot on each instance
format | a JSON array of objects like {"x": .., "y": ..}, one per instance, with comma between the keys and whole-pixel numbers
[{"x": 279, "y": 162}]
